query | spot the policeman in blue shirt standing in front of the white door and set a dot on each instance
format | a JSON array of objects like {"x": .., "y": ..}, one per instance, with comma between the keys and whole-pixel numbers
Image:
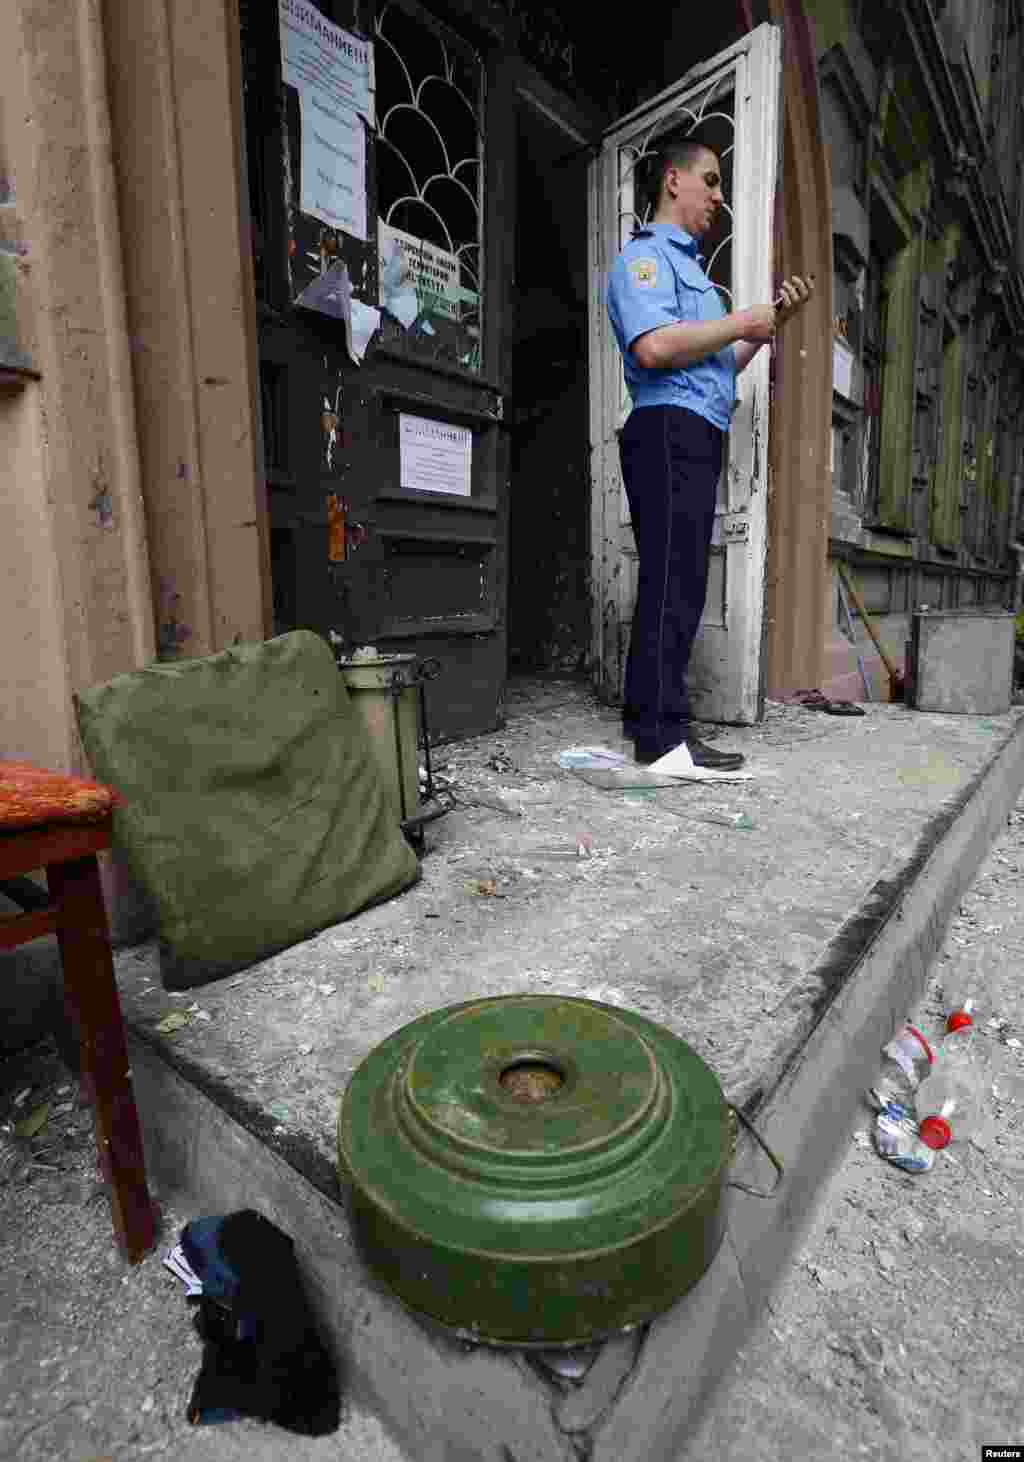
[{"x": 681, "y": 353}]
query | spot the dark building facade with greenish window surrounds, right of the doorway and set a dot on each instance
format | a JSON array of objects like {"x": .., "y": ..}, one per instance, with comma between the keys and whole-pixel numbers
[{"x": 921, "y": 119}]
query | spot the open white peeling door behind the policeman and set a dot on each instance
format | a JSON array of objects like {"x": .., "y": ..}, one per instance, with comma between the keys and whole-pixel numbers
[{"x": 726, "y": 683}]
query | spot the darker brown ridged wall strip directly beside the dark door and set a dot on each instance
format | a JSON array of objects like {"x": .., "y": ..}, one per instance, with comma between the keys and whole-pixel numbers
[{"x": 188, "y": 267}]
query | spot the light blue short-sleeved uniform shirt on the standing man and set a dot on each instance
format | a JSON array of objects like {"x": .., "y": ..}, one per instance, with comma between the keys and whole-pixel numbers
[{"x": 658, "y": 280}]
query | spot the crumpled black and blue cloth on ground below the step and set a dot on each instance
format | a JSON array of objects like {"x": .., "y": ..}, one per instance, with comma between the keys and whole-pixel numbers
[{"x": 263, "y": 1353}]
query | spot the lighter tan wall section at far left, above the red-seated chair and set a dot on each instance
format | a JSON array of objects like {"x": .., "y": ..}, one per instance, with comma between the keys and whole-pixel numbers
[{"x": 74, "y": 561}]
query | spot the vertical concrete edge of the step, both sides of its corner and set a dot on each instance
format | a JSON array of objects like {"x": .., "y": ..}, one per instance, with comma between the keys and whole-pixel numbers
[{"x": 217, "y": 1151}]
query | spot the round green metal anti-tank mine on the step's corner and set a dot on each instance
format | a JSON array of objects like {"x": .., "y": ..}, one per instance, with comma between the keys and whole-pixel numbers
[{"x": 536, "y": 1170}]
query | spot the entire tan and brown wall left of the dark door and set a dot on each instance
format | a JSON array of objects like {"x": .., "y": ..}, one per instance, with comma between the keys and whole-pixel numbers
[{"x": 128, "y": 470}]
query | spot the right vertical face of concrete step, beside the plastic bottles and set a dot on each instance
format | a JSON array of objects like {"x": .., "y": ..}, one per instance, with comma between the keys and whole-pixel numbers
[{"x": 808, "y": 1115}]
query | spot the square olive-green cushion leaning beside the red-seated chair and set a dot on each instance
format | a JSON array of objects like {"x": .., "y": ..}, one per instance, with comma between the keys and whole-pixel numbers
[{"x": 254, "y": 812}]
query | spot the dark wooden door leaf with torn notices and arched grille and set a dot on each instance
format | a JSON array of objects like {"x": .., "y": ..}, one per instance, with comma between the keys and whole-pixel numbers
[{"x": 374, "y": 542}]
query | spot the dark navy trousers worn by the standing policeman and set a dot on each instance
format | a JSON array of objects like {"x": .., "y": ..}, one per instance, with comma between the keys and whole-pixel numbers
[{"x": 671, "y": 466}]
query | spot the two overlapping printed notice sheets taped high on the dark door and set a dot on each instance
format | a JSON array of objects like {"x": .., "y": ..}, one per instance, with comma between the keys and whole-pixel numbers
[{"x": 331, "y": 71}]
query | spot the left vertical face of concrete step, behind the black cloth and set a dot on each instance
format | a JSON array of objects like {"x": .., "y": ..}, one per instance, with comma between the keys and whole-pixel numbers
[{"x": 443, "y": 1403}]
